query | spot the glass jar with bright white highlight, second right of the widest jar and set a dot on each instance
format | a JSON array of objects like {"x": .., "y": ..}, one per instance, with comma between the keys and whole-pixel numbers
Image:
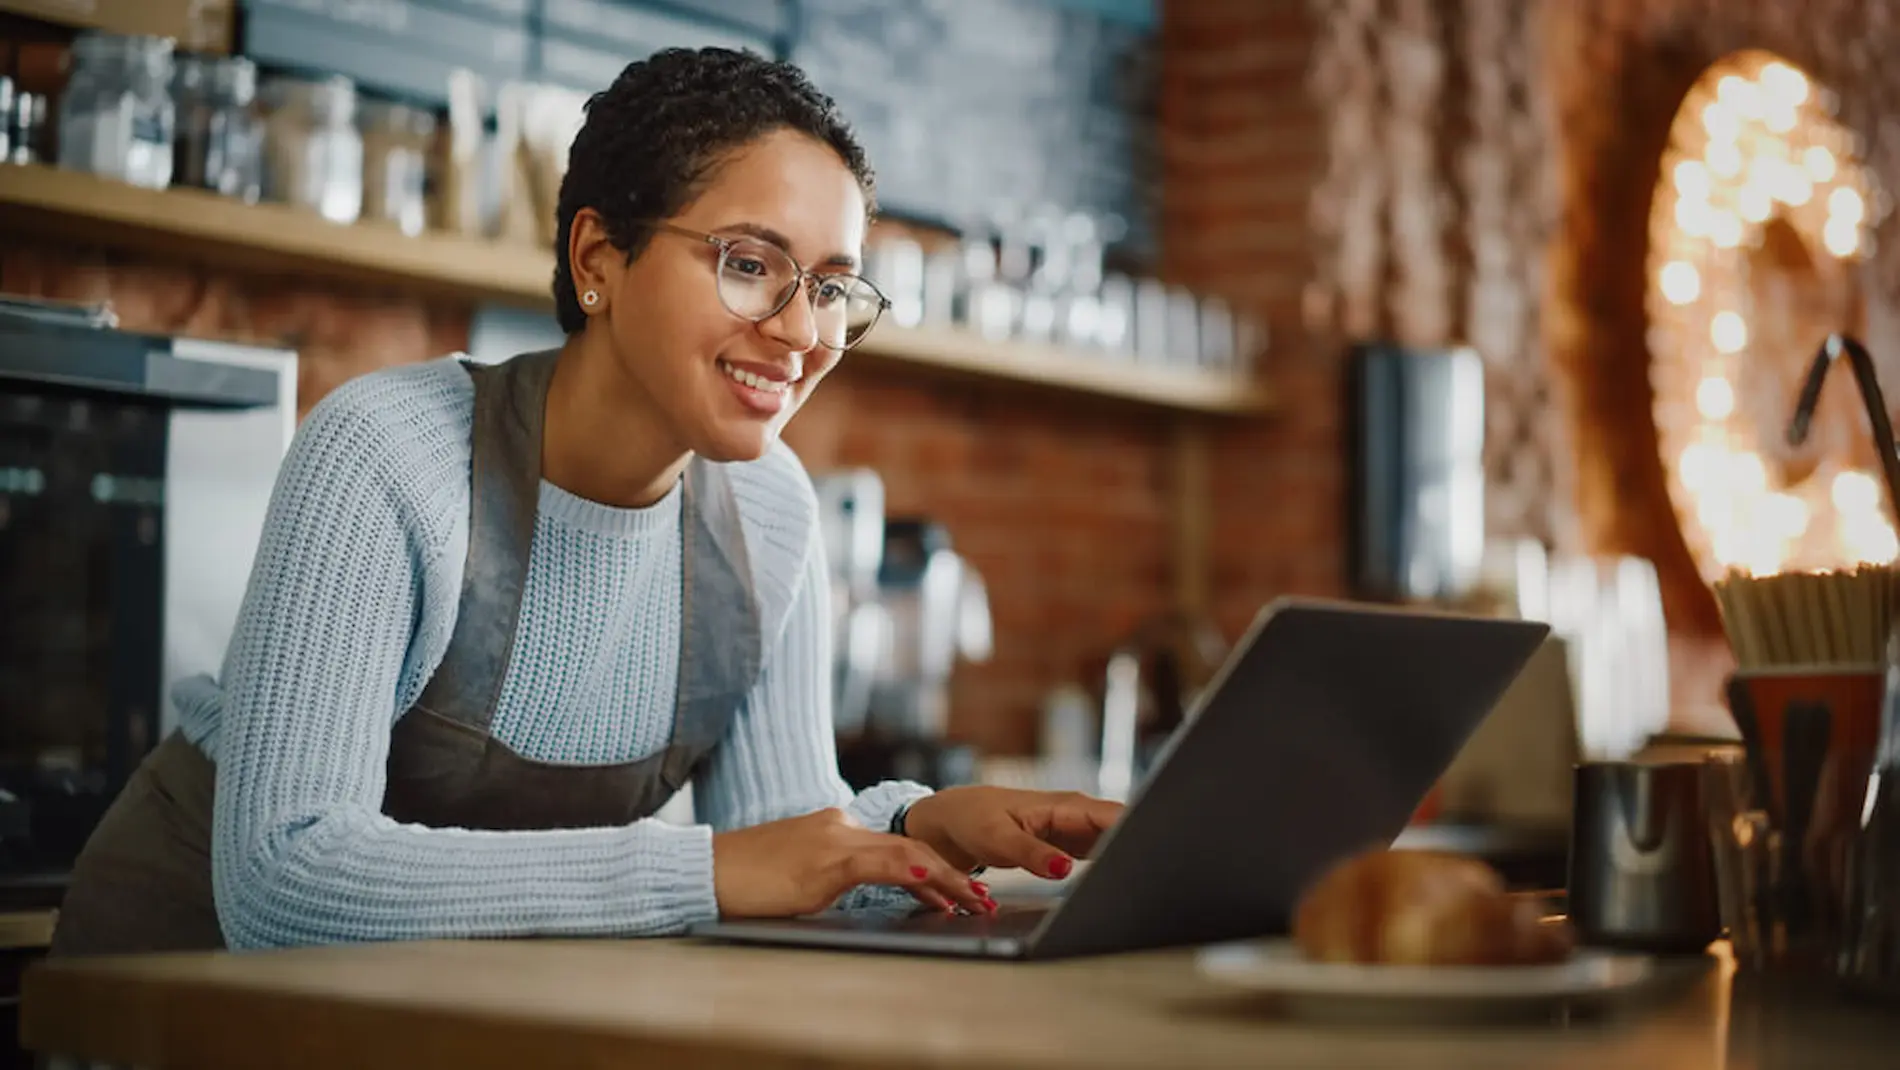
[{"x": 313, "y": 149}]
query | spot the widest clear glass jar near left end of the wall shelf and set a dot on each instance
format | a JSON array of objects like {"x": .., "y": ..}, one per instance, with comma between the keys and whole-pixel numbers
[{"x": 117, "y": 117}]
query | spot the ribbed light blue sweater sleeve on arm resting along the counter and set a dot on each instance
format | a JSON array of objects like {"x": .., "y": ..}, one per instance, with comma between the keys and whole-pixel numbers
[{"x": 301, "y": 847}]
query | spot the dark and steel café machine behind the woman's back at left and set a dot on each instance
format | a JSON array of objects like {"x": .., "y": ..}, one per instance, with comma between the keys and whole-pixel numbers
[{"x": 136, "y": 472}]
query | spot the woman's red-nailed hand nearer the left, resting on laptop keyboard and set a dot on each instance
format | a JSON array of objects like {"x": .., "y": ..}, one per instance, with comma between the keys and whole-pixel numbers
[{"x": 801, "y": 866}]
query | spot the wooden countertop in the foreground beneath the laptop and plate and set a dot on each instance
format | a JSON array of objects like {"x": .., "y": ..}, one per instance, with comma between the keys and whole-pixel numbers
[{"x": 554, "y": 1004}]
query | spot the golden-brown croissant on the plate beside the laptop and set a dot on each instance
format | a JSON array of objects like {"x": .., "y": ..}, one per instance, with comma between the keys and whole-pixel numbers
[{"x": 1422, "y": 909}]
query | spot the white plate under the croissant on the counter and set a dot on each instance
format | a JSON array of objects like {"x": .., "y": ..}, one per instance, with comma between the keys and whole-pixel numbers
[{"x": 1587, "y": 978}]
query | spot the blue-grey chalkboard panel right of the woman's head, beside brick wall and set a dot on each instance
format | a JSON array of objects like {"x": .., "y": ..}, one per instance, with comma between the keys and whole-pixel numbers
[{"x": 972, "y": 105}]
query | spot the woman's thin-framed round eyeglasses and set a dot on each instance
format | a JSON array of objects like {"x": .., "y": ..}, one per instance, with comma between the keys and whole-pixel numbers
[{"x": 757, "y": 280}]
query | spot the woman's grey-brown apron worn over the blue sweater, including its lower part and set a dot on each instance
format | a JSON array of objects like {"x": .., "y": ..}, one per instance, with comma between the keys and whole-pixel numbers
[{"x": 143, "y": 881}]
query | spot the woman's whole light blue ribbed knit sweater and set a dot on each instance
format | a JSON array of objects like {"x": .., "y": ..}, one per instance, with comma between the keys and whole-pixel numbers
[{"x": 349, "y": 613}]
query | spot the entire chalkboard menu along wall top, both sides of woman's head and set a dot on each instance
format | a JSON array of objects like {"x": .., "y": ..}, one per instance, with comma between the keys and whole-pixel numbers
[{"x": 968, "y": 107}]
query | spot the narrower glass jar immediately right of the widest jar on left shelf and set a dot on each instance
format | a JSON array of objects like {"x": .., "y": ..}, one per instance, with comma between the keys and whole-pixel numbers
[{"x": 219, "y": 143}]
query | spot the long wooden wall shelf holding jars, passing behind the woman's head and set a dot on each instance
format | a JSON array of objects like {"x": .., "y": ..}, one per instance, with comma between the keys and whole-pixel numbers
[{"x": 195, "y": 225}]
